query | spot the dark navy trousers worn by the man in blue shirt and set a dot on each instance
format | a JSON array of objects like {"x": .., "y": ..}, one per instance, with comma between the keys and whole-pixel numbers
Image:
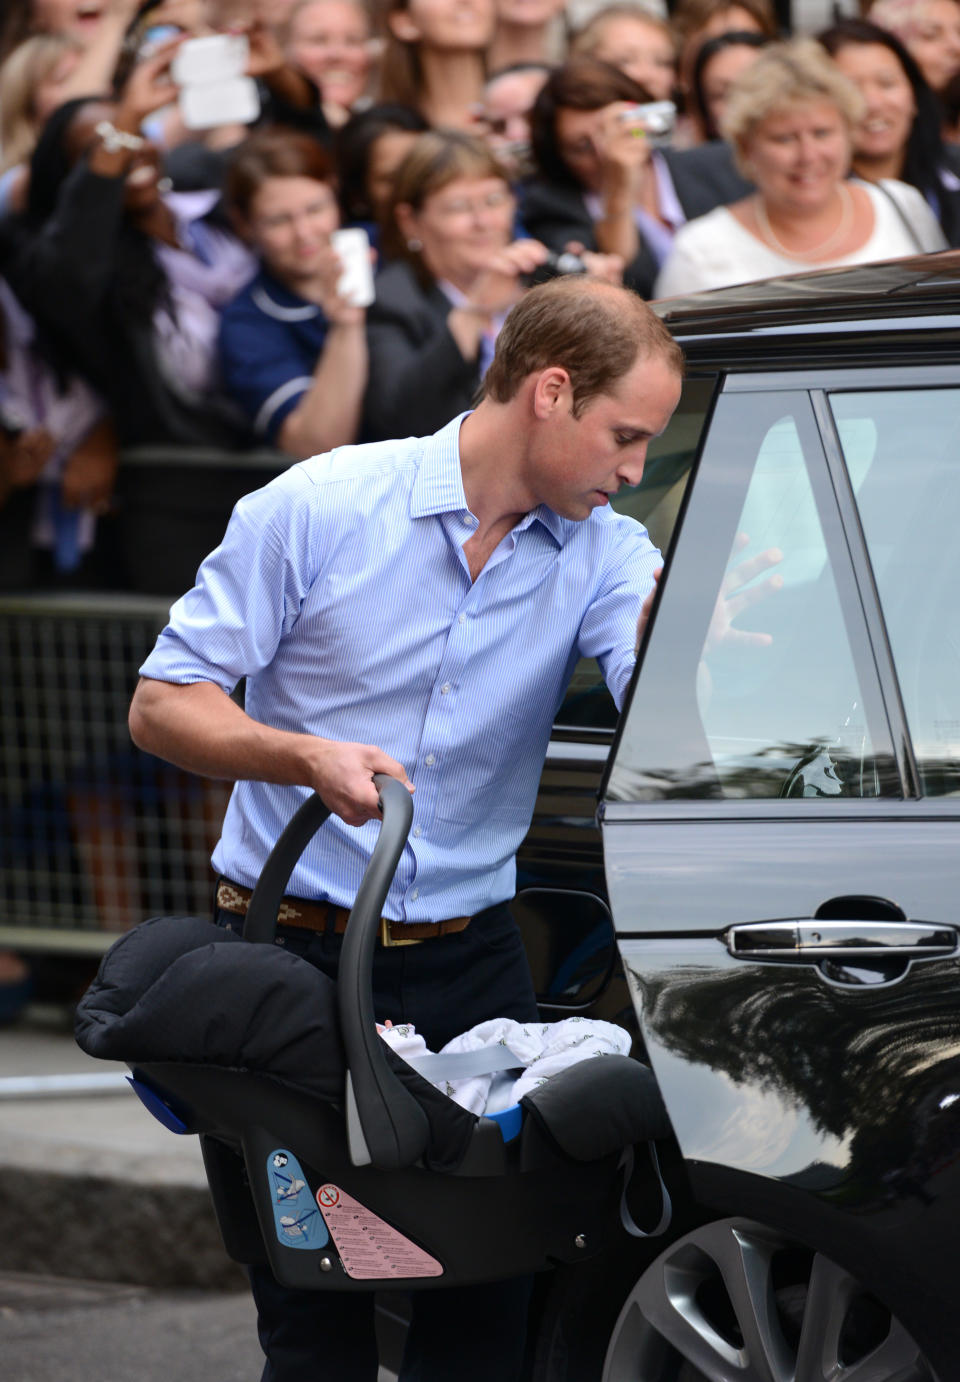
[{"x": 473, "y": 1334}]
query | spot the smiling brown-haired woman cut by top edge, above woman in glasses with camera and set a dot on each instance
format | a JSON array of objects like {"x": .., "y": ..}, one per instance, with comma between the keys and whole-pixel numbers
[{"x": 436, "y": 57}]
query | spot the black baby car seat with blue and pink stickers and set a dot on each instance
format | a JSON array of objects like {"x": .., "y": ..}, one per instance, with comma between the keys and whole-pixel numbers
[{"x": 328, "y": 1156}]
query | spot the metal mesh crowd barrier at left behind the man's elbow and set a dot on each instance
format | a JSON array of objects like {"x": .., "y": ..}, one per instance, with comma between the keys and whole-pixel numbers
[{"x": 95, "y": 835}]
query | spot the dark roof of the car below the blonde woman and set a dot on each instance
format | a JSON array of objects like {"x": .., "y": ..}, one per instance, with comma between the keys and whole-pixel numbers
[{"x": 910, "y": 306}]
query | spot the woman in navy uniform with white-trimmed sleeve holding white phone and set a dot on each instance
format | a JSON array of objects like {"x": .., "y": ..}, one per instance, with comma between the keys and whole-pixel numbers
[{"x": 294, "y": 350}]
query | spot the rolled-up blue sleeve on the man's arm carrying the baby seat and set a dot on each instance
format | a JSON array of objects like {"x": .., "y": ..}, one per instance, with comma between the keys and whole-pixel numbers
[{"x": 249, "y": 591}]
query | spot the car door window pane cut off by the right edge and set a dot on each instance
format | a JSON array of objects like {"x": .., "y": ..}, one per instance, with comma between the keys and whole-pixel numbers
[{"x": 901, "y": 451}]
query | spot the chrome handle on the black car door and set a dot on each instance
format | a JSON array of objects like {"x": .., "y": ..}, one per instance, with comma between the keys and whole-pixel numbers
[{"x": 809, "y": 942}]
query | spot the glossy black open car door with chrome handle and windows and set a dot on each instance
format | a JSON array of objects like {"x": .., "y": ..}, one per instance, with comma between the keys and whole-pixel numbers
[{"x": 781, "y": 823}]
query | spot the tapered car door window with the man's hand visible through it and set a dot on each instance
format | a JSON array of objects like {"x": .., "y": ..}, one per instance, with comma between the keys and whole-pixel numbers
[{"x": 753, "y": 676}]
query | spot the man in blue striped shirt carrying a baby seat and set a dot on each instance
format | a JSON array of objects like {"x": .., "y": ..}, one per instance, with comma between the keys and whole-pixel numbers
[{"x": 418, "y": 609}]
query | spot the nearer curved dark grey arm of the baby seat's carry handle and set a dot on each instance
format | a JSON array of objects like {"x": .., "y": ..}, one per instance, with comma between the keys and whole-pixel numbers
[{"x": 386, "y": 1126}]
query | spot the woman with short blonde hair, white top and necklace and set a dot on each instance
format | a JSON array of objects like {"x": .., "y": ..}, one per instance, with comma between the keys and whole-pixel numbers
[{"x": 791, "y": 120}]
